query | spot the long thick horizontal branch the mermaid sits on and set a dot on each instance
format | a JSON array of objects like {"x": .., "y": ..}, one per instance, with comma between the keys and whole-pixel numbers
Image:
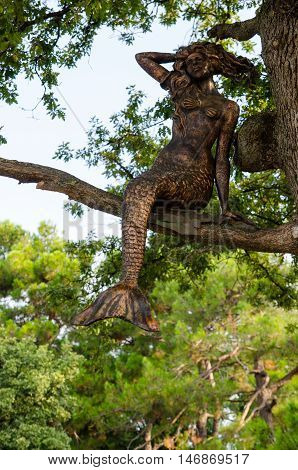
[{"x": 190, "y": 225}]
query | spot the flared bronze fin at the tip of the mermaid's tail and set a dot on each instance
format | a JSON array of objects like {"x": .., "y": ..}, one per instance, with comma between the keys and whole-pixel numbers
[{"x": 119, "y": 301}]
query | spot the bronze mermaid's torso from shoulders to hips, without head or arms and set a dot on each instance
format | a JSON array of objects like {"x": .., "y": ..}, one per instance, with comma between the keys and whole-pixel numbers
[{"x": 187, "y": 158}]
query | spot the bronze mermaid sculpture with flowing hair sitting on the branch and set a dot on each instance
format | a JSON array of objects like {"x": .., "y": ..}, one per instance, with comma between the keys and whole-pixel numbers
[{"x": 184, "y": 171}]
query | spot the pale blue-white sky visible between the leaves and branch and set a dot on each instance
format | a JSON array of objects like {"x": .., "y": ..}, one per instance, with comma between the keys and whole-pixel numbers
[{"x": 97, "y": 86}]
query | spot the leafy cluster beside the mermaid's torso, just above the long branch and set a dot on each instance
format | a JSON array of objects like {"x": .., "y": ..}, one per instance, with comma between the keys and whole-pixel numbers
[{"x": 131, "y": 137}]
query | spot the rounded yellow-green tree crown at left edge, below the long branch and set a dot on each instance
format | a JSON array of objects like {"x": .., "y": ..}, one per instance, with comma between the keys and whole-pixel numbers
[{"x": 36, "y": 273}]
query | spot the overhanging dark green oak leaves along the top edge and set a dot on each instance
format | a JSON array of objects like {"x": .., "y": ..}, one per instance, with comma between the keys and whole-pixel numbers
[{"x": 37, "y": 38}]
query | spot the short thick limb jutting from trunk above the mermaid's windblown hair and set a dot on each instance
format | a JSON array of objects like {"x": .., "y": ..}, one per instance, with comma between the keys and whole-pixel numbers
[{"x": 242, "y": 31}]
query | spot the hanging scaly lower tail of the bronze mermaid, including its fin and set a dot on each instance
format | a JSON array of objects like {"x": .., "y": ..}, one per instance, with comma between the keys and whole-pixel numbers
[{"x": 125, "y": 300}]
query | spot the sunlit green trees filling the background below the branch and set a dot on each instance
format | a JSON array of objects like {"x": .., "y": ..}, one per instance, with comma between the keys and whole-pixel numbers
[{"x": 130, "y": 381}]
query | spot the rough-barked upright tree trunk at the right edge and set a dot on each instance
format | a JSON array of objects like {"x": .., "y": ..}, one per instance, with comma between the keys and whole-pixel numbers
[{"x": 278, "y": 27}]
